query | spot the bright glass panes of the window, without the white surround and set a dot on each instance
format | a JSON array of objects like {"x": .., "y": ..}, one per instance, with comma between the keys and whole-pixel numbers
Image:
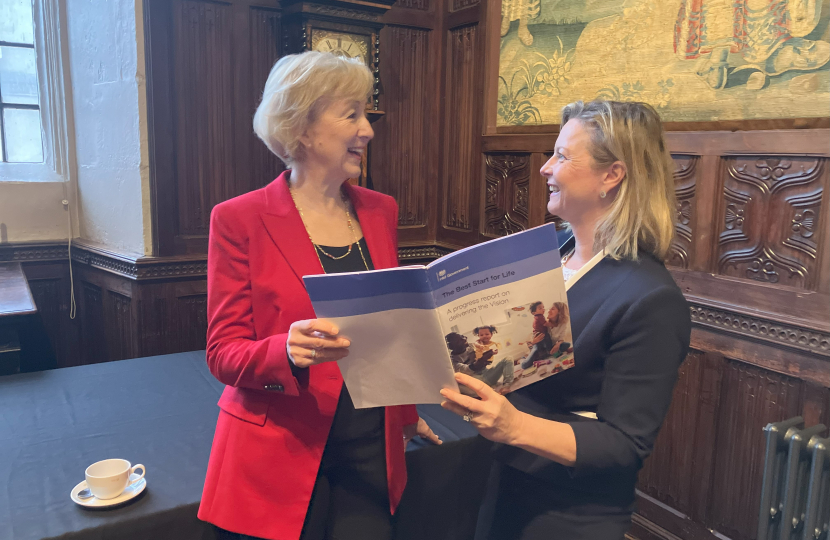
[{"x": 21, "y": 140}]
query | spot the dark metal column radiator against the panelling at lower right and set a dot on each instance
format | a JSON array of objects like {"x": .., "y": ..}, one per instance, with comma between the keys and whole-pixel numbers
[{"x": 795, "y": 496}]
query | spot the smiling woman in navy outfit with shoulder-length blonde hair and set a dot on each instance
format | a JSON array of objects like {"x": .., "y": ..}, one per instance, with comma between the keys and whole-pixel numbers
[{"x": 558, "y": 474}]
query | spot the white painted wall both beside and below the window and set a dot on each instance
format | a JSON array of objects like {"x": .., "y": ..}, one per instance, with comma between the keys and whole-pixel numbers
[{"x": 106, "y": 64}]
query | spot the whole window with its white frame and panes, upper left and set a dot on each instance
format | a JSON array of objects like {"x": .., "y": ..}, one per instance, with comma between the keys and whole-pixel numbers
[{"x": 35, "y": 142}]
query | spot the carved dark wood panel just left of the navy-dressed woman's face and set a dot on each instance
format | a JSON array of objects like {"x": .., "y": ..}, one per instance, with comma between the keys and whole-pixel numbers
[{"x": 506, "y": 206}]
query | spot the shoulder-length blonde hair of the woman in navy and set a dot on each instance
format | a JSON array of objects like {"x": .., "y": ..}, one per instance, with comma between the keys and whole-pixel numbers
[{"x": 643, "y": 213}]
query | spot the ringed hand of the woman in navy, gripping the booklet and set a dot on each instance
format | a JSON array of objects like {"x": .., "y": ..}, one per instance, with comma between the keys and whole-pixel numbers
[{"x": 493, "y": 416}]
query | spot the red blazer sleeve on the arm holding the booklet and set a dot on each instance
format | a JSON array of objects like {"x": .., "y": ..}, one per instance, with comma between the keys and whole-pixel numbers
[{"x": 234, "y": 354}]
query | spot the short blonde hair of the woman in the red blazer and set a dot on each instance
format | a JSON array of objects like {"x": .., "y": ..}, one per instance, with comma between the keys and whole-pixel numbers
[{"x": 298, "y": 88}]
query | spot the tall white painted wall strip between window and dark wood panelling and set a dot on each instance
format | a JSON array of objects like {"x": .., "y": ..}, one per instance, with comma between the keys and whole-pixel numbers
[{"x": 106, "y": 79}]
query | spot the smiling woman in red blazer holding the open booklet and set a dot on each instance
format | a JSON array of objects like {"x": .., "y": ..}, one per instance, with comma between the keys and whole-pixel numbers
[{"x": 292, "y": 458}]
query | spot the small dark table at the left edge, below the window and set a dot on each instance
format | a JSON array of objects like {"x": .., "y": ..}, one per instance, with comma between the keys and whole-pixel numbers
[{"x": 16, "y": 306}]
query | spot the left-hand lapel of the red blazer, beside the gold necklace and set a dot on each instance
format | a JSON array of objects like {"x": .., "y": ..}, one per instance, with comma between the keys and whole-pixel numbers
[{"x": 286, "y": 229}]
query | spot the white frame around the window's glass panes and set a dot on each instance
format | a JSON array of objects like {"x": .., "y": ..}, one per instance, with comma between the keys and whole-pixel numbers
[{"x": 54, "y": 101}]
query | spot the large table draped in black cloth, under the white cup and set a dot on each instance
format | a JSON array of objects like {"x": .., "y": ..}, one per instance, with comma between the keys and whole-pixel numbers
[{"x": 161, "y": 411}]
